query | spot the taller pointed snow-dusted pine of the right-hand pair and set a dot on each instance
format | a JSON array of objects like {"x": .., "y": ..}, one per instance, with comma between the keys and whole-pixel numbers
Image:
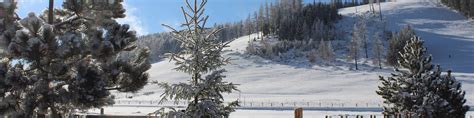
[{"x": 398, "y": 90}]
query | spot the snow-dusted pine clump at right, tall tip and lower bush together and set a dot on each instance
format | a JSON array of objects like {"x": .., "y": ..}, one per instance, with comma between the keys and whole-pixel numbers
[{"x": 419, "y": 90}]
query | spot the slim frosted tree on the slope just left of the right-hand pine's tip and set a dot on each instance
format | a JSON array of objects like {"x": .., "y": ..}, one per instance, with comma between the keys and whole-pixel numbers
[{"x": 378, "y": 49}]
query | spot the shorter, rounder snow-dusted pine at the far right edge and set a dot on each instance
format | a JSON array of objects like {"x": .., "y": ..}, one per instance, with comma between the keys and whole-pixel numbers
[{"x": 441, "y": 96}]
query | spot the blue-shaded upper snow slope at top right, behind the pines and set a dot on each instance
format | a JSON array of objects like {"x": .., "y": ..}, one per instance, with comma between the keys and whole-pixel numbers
[{"x": 449, "y": 36}]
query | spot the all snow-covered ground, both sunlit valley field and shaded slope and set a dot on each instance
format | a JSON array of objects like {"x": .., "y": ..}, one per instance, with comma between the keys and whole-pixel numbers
[{"x": 261, "y": 80}]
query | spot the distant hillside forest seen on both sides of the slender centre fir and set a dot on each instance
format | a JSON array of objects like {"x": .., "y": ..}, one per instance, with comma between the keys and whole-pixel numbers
[{"x": 288, "y": 20}]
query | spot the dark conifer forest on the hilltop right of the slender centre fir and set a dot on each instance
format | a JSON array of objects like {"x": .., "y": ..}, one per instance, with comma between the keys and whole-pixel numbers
[{"x": 290, "y": 20}]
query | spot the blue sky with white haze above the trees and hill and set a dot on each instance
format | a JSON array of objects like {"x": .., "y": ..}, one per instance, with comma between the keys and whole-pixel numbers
[{"x": 146, "y": 16}]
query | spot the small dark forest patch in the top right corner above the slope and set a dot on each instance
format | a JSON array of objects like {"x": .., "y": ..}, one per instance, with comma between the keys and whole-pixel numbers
[{"x": 466, "y": 7}]
